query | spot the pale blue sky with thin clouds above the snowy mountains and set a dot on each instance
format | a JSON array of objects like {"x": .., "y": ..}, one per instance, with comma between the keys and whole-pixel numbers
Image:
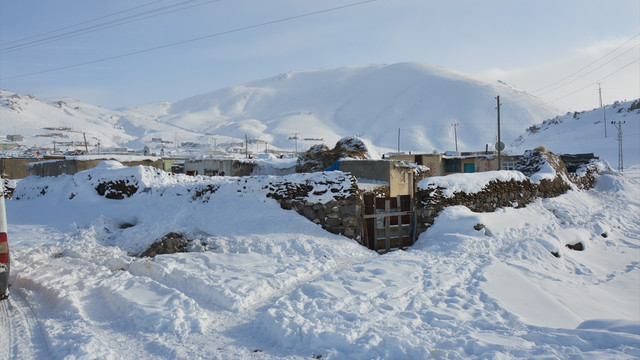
[{"x": 557, "y": 49}]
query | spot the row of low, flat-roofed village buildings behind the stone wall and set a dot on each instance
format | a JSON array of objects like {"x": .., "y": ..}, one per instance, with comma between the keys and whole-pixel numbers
[{"x": 398, "y": 171}]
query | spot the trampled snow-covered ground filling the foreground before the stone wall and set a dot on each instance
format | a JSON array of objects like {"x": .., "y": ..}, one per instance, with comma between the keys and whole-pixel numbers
[{"x": 262, "y": 282}]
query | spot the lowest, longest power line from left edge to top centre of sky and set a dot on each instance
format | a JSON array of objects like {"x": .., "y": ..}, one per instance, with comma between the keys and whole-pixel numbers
[{"x": 191, "y": 40}]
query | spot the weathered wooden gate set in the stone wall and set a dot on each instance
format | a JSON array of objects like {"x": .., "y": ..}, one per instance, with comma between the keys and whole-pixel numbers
[{"x": 388, "y": 223}]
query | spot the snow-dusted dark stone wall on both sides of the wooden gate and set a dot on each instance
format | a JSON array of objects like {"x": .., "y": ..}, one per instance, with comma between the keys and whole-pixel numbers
[{"x": 343, "y": 214}]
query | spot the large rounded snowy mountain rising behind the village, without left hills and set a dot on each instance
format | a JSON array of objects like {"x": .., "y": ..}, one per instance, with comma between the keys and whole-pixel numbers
[{"x": 372, "y": 101}]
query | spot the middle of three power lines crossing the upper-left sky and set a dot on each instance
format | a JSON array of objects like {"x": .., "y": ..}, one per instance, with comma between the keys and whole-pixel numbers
[{"x": 107, "y": 25}]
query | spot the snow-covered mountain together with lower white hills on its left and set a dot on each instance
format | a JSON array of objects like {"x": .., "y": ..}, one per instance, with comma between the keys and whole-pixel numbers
[{"x": 372, "y": 101}]
